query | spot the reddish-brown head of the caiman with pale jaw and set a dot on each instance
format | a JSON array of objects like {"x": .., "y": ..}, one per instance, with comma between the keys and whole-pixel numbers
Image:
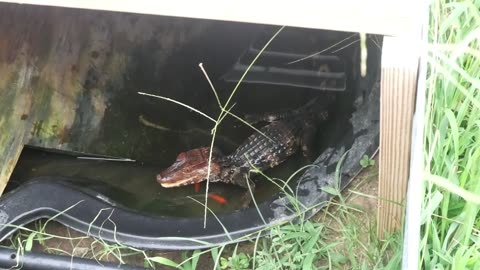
[{"x": 190, "y": 167}]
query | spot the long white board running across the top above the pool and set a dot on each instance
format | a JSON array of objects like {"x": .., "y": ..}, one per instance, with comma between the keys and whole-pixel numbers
[{"x": 386, "y": 17}]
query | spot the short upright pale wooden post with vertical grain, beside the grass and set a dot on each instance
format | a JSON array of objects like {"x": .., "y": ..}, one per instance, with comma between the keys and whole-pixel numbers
[{"x": 400, "y": 58}]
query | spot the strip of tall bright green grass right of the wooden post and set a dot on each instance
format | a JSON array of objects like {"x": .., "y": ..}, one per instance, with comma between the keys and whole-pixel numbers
[{"x": 450, "y": 220}]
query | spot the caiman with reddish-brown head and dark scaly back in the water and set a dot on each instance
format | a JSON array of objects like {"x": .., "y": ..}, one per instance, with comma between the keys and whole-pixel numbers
[{"x": 286, "y": 133}]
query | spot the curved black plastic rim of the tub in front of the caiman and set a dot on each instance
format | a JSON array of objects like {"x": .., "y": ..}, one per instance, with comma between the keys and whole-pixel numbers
[{"x": 87, "y": 209}]
